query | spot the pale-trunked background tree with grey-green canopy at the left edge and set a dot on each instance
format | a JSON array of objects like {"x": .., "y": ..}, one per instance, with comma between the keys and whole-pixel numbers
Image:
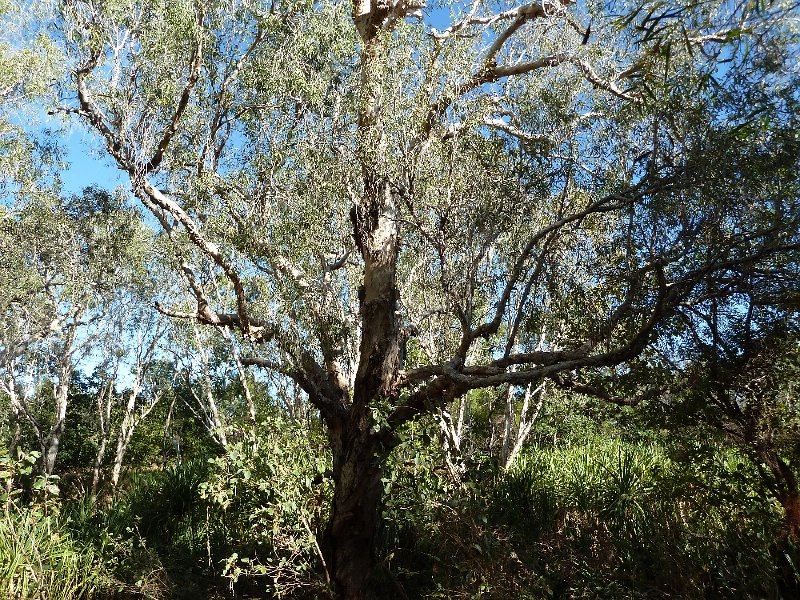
[{"x": 64, "y": 262}]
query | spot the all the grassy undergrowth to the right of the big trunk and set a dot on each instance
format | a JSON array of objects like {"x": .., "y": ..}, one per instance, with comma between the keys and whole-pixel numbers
[{"x": 595, "y": 519}]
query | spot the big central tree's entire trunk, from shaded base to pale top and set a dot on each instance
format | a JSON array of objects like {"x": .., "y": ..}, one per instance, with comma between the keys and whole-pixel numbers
[{"x": 350, "y": 536}]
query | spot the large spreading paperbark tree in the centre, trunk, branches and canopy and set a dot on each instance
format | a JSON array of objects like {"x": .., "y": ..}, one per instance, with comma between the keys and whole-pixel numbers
[{"x": 398, "y": 205}]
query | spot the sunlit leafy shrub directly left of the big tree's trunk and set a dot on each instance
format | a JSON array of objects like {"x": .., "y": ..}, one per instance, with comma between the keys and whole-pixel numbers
[{"x": 270, "y": 505}]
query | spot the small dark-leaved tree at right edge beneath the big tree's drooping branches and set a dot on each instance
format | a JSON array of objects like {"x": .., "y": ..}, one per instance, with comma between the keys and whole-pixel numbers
[{"x": 742, "y": 383}]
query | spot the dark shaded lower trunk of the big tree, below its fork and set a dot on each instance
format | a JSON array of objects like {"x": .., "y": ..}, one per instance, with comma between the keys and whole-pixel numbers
[{"x": 349, "y": 544}]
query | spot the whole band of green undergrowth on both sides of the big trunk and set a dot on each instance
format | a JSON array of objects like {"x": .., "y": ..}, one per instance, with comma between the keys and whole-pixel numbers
[{"x": 593, "y": 508}]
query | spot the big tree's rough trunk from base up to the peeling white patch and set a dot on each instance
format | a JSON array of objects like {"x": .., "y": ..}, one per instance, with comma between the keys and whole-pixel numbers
[{"x": 349, "y": 544}]
